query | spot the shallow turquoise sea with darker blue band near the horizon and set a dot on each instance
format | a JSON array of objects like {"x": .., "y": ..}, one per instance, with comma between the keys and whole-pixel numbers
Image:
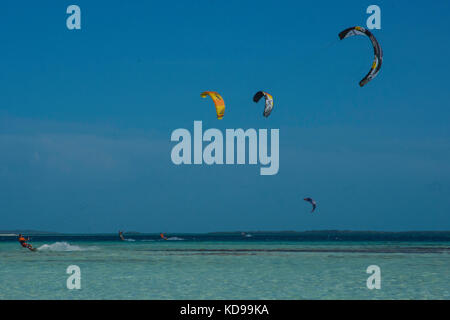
[{"x": 224, "y": 267}]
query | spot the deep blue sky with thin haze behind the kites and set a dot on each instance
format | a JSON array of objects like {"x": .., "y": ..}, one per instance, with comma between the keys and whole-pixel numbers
[{"x": 86, "y": 116}]
